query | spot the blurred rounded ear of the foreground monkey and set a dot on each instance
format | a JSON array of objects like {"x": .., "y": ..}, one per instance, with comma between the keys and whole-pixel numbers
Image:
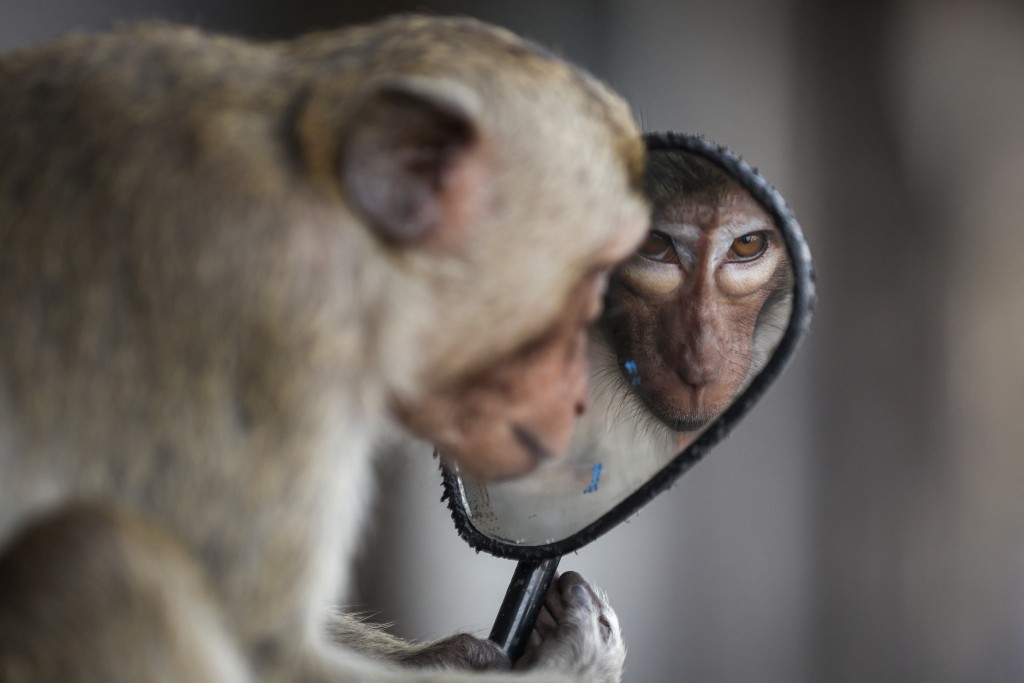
[{"x": 402, "y": 157}]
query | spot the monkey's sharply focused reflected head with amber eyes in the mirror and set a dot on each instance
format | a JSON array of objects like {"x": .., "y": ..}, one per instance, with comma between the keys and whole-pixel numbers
[{"x": 698, "y": 312}]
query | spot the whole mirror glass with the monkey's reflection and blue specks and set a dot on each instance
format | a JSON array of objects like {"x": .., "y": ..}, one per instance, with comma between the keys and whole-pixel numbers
[{"x": 690, "y": 321}]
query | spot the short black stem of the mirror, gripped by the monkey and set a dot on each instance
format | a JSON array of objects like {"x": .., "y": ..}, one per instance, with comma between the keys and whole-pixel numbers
[{"x": 522, "y": 606}]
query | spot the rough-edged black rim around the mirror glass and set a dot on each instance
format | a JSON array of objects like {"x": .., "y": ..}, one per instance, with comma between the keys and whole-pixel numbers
[{"x": 803, "y": 307}]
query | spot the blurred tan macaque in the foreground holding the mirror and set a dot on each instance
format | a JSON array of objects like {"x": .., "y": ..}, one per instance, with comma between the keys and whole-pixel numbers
[{"x": 227, "y": 269}]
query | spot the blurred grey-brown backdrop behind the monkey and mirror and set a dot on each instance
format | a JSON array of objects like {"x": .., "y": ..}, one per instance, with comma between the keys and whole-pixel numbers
[{"x": 867, "y": 522}]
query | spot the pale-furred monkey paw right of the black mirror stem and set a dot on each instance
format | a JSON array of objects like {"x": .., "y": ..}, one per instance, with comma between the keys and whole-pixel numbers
[{"x": 577, "y": 633}]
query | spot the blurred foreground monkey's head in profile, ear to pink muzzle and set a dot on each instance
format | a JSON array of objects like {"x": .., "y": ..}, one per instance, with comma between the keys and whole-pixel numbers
[{"x": 501, "y": 230}]
